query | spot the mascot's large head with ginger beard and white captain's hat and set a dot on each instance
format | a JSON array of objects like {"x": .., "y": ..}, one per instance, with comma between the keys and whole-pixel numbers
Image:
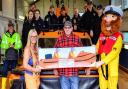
[{"x": 111, "y": 20}]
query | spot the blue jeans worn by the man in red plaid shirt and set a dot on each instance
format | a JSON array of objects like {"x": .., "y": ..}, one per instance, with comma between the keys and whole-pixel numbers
[{"x": 69, "y": 82}]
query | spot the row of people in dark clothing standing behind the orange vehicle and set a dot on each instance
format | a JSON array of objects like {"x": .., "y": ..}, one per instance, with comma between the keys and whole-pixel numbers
[{"x": 89, "y": 22}]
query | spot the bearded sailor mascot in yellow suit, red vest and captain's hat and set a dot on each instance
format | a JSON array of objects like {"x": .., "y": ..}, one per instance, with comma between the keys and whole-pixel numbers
[{"x": 108, "y": 47}]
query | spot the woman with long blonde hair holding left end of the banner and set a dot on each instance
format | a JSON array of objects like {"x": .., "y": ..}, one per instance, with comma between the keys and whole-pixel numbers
[{"x": 30, "y": 61}]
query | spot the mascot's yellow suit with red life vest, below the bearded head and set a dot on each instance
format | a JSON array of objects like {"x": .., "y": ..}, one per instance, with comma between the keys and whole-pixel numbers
[{"x": 109, "y": 49}]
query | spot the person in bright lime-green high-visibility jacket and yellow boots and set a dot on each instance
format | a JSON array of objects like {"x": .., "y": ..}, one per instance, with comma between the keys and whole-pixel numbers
[{"x": 10, "y": 39}]
